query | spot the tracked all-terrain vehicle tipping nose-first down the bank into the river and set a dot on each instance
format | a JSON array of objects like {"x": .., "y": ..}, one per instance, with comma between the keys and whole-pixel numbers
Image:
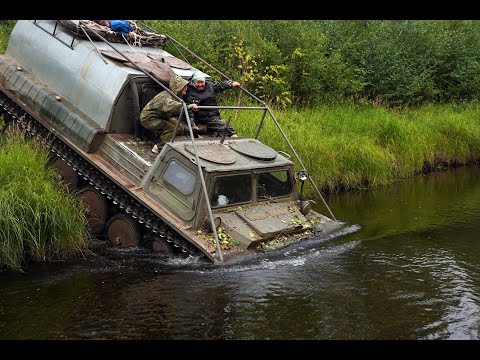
[{"x": 80, "y": 92}]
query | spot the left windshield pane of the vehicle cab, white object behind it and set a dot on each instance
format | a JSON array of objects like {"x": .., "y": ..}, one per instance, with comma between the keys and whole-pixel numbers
[{"x": 228, "y": 190}]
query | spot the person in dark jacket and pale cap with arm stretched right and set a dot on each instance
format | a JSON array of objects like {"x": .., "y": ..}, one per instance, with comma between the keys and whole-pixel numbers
[{"x": 202, "y": 93}]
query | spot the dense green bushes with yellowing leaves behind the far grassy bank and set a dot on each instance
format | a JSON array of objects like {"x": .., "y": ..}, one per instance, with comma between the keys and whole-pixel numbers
[{"x": 394, "y": 62}]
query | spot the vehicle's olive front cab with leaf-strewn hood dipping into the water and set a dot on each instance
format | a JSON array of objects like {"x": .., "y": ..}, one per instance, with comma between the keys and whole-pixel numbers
[{"x": 251, "y": 191}]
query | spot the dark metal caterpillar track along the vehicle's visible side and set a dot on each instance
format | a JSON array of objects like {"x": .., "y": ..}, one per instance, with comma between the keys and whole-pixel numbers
[{"x": 153, "y": 228}]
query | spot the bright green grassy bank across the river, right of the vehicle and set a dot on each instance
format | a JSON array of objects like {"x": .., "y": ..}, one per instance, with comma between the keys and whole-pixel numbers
[{"x": 363, "y": 146}]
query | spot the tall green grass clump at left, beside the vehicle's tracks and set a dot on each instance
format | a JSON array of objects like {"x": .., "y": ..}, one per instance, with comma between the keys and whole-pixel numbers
[{"x": 39, "y": 220}]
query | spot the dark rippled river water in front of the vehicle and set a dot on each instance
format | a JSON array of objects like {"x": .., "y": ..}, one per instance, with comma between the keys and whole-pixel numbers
[{"x": 407, "y": 267}]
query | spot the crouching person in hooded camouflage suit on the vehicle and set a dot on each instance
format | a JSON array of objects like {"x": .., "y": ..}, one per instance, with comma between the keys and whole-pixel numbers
[{"x": 160, "y": 115}]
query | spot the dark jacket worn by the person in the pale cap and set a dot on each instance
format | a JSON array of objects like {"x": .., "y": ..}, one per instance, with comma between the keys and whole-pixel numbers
[{"x": 206, "y": 97}]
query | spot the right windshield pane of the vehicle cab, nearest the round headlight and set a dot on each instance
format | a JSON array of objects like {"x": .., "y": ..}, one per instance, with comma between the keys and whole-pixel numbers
[{"x": 273, "y": 184}]
